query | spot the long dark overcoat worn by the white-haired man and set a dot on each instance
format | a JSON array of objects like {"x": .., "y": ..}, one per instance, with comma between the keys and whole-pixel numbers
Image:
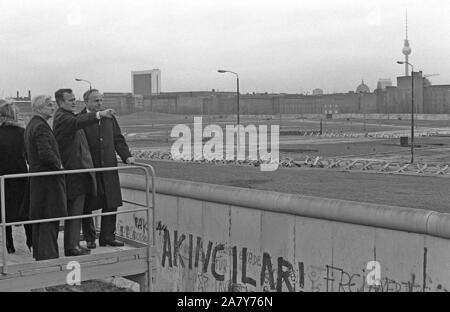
[{"x": 47, "y": 193}]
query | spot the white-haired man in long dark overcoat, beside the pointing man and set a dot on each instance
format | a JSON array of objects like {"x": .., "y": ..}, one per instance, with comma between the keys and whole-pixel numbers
[{"x": 47, "y": 193}]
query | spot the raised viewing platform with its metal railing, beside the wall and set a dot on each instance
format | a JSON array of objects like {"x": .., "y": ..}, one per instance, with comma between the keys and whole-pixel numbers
[{"x": 20, "y": 272}]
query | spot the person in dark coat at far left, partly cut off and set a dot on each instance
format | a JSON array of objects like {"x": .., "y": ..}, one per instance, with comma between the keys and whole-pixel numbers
[{"x": 12, "y": 160}]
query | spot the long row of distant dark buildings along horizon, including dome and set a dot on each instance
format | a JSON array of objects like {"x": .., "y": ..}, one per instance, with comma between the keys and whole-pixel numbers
[{"x": 386, "y": 99}]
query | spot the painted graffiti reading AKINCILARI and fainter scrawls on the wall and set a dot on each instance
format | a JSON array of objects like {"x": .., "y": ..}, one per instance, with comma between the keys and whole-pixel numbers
[{"x": 220, "y": 267}]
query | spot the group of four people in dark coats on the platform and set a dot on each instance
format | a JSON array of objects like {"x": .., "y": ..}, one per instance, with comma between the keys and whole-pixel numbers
[{"x": 89, "y": 139}]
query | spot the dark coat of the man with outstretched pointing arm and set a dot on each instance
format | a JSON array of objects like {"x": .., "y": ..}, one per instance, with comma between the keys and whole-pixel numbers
[{"x": 74, "y": 150}]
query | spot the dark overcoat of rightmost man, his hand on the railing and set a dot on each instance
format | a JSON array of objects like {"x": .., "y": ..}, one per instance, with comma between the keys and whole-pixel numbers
[{"x": 105, "y": 139}]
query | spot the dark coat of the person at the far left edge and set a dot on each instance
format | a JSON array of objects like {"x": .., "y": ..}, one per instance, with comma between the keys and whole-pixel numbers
[{"x": 12, "y": 160}]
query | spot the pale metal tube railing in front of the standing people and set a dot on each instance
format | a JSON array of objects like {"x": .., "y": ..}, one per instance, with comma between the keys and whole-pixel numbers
[{"x": 149, "y": 173}]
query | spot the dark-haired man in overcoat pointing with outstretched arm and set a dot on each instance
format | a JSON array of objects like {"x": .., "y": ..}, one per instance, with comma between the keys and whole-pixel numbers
[{"x": 75, "y": 154}]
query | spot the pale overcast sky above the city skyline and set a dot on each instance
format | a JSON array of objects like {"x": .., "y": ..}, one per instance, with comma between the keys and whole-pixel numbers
[{"x": 290, "y": 46}]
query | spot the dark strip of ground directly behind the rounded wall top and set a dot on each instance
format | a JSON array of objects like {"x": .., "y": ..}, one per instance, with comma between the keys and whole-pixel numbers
[{"x": 431, "y": 193}]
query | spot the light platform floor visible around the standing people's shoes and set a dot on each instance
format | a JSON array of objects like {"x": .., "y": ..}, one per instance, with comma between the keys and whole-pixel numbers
[{"x": 23, "y": 255}]
